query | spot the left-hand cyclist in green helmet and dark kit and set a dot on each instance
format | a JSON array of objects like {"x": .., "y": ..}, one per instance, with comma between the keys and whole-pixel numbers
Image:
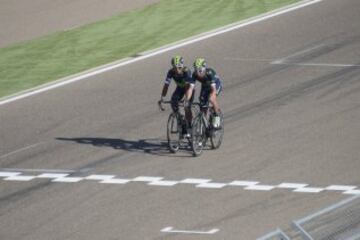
[{"x": 184, "y": 89}]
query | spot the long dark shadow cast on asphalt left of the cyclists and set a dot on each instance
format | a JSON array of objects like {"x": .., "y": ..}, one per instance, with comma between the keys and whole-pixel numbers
[{"x": 153, "y": 146}]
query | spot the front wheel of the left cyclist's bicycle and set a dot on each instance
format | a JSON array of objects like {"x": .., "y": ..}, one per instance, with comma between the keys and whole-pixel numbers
[{"x": 173, "y": 133}]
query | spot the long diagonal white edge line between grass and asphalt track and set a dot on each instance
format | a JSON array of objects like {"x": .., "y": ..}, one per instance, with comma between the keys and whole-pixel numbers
[{"x": 151, "y": 53}]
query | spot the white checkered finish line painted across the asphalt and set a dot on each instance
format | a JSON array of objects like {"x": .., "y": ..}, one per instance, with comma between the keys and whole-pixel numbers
[{"x": 197, "y": 182}]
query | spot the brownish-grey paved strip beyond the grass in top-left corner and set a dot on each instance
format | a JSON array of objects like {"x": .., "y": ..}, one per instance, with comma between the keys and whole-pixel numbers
[{"x": 23, "y": 20}]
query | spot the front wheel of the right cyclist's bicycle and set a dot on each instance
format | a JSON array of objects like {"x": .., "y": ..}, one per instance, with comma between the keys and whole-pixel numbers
[{"x": 198, "y": 136}]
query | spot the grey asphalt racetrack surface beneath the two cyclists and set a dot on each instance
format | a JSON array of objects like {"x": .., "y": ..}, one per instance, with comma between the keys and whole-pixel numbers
[{"x": 292, "y": 107}]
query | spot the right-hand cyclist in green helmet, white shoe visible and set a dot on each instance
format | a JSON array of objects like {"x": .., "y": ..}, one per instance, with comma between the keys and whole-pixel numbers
[{"x": 211, "y": 86}]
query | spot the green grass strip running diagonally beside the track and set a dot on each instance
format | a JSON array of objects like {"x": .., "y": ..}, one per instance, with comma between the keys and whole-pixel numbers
[{"x": 29, "y": 64}]
